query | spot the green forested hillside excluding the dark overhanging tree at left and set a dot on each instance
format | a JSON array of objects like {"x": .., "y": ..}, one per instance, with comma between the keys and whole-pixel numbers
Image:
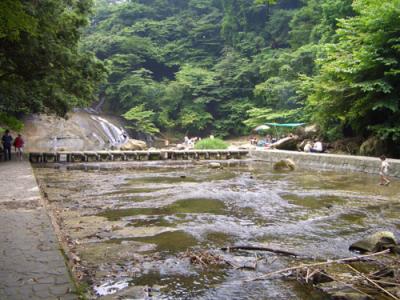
[{"x": 225, "y": 66}]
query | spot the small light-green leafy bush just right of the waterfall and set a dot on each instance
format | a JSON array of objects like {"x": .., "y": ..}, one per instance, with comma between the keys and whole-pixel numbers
[{"x": 142, "y": 120}]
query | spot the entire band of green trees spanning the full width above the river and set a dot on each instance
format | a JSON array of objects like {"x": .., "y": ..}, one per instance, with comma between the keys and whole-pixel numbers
[{"x": 209, "y": 66}]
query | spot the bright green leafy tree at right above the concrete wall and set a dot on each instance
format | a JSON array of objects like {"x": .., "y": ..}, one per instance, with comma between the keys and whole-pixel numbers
[{"x": 357, "y": 87}]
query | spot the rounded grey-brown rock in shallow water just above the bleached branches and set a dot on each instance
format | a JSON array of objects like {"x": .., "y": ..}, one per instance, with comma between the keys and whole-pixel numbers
[{"x": 376, "y": 242}]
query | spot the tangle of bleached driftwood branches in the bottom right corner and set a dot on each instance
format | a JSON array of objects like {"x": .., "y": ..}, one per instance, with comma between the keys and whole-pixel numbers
[{"x": 382, "y": 280}]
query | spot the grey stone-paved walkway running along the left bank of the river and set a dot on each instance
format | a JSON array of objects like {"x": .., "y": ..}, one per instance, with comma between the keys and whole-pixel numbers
[{"x": 31, "y": 263}]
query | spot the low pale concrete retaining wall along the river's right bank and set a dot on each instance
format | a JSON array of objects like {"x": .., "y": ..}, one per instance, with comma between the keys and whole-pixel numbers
[{"x": 329, "y": 161}]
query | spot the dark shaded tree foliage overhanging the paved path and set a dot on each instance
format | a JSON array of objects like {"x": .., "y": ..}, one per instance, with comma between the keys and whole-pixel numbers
[{"x": 41, "y": 66}]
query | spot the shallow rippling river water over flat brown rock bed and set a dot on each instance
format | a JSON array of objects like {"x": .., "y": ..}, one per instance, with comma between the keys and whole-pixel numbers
[{"x": 131, "y": 224}]
